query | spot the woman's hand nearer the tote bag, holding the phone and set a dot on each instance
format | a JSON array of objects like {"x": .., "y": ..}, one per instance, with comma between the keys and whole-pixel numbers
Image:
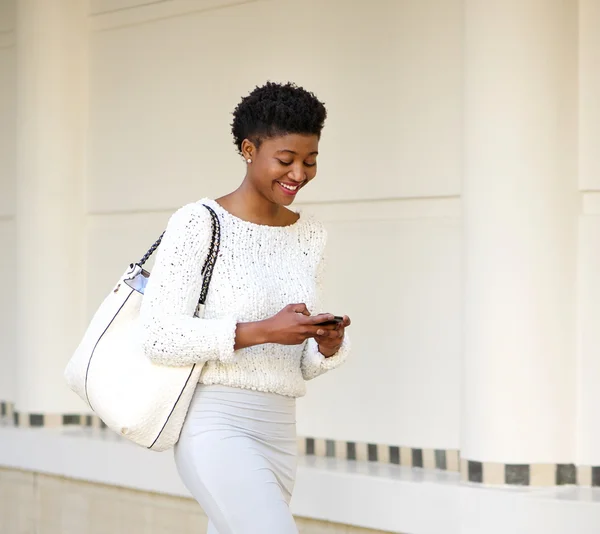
[{"x": 294, "y": 324}]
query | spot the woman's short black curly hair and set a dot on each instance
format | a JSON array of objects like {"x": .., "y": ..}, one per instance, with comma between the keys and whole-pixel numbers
[{"x": 277, "y": 109}]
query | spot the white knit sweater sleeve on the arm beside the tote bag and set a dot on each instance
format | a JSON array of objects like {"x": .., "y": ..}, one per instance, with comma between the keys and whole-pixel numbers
[{"x": 171, "y": 335}]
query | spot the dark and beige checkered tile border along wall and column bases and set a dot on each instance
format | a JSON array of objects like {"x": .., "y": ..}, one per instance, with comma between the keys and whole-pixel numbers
[{"x": 446, "y": 460}]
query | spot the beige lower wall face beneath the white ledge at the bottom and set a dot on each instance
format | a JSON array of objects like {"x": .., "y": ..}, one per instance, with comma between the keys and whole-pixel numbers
[{"x": 33, "y": 503}]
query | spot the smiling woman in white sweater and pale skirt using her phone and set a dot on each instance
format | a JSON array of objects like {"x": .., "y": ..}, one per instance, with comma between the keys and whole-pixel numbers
[{"x": 260, "y": 336}]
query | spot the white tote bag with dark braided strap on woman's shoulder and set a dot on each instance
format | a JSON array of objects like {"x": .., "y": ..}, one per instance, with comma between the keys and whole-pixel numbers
[{"x": 140, "y": 400}]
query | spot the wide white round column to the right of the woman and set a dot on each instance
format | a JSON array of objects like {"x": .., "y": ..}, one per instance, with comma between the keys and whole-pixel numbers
[{"x": 520, "y": 208}]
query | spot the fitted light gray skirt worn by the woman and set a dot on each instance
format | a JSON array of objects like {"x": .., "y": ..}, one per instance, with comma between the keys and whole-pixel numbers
[{"x": 237, "y": 457}]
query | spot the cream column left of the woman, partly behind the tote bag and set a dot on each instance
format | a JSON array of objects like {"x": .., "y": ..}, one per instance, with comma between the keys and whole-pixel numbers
[{"x": 51, "y": 111}]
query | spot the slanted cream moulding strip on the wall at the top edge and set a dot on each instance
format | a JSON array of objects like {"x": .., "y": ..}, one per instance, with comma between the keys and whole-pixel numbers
[{"x": 153, "y": 12}]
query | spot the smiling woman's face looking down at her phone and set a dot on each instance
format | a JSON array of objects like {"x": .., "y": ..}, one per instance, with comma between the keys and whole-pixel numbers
[{"x": 282, "y": 165}]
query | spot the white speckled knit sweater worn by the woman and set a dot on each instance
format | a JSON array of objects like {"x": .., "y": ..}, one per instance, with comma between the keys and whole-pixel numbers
[{"x": 260, "y": 270}]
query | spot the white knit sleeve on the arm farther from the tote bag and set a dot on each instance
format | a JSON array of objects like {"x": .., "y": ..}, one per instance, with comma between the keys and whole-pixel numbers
[{"x": 313, "y": 363}]
